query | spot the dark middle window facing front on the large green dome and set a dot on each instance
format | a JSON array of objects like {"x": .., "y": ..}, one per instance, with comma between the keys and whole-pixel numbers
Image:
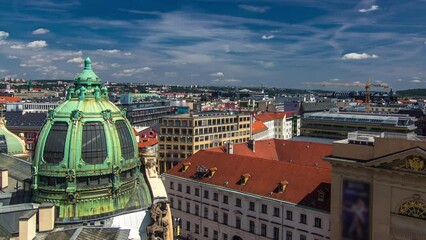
[{"x": 94, "y": 150}]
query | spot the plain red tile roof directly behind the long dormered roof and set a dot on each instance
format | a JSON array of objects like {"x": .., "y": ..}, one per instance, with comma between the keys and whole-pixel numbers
[{"x": 297, "y": 152}]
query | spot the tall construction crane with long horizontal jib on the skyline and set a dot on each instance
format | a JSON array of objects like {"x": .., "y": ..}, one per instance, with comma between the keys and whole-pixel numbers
[{"x": 368, "y": 85}]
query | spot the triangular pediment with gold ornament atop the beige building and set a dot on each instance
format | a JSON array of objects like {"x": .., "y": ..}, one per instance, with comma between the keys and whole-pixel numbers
[{"x": 411, "y": 160}]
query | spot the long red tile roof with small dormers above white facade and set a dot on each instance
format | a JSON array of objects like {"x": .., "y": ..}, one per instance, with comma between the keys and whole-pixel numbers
[{"x": 304, "y": 182}]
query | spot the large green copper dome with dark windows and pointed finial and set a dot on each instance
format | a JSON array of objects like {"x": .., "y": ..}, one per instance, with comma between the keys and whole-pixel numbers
[{"x": 86, "y": 159}]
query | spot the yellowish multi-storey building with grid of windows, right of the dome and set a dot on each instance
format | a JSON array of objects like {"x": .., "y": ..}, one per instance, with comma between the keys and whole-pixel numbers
[{"x": 183, "y": 135}]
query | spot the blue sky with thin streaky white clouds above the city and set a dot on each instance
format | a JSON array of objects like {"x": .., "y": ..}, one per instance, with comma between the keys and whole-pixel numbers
[{"x": 216, "y": 42}]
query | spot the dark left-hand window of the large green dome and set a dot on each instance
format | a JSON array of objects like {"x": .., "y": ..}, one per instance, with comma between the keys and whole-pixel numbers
[{"x": 55, "y": 143}]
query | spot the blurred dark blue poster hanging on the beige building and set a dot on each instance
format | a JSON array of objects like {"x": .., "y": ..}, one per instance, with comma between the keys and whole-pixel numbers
[{"x": 356, "y": 210}]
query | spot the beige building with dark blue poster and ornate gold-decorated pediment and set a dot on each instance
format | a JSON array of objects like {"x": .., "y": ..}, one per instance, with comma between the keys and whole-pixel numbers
[{"x": 378, "y": 187}]
